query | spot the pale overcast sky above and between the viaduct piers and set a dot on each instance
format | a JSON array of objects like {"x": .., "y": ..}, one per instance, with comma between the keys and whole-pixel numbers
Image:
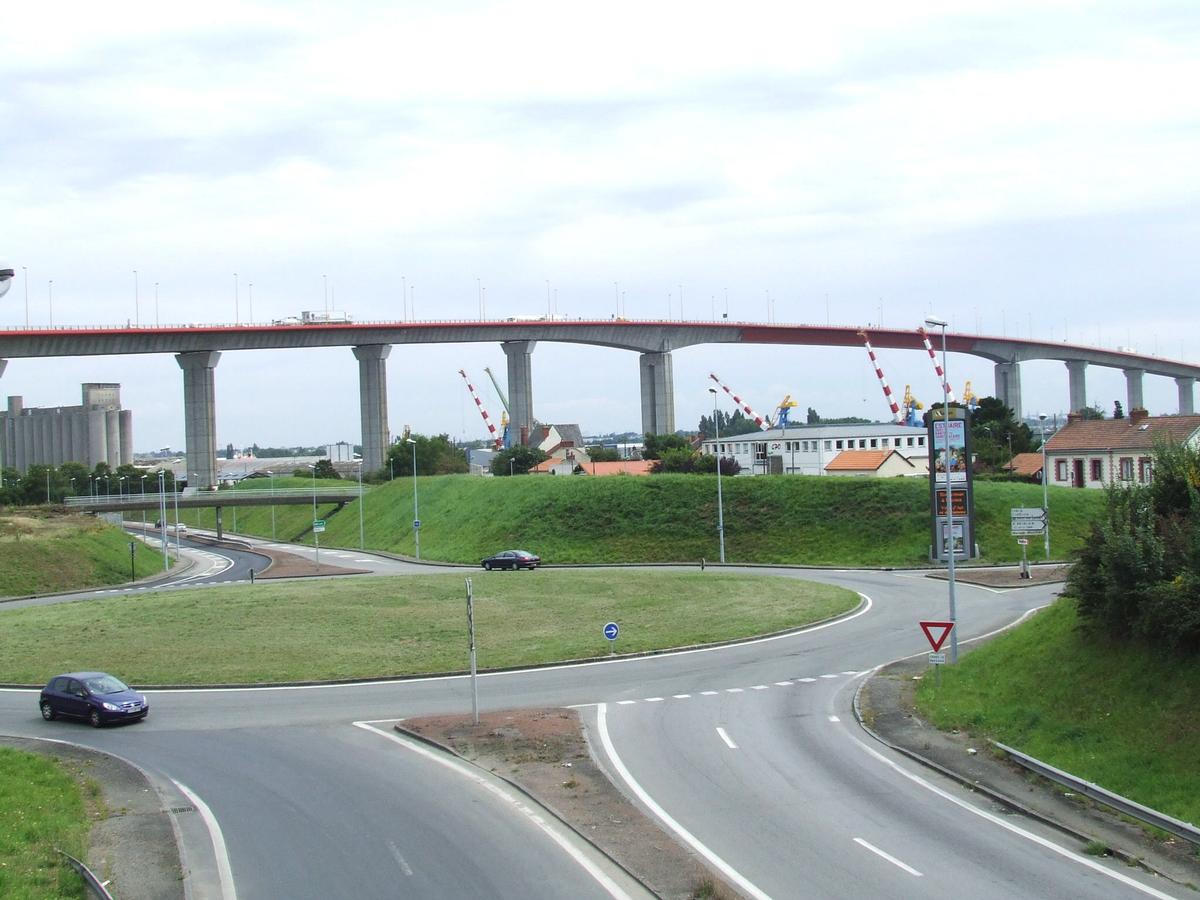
[{"x": 1017, "y": 169}]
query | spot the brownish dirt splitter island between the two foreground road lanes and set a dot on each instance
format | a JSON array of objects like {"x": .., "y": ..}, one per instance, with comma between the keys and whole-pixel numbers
[{"x": 547, "y": 754}]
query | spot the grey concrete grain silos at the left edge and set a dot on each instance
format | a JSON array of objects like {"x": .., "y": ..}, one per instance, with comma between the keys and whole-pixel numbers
[{"x": 94, "y": 433}]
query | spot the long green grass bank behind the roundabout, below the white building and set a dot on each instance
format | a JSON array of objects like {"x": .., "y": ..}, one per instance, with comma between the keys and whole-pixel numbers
[{"x": 819, "y": 521}]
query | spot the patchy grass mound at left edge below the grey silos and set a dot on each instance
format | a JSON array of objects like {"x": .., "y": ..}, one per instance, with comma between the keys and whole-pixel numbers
[{"x": 45, "y": 553}]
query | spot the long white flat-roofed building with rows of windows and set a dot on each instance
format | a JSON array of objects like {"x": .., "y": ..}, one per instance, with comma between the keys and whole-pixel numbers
[{"x": 809, "y": 449}]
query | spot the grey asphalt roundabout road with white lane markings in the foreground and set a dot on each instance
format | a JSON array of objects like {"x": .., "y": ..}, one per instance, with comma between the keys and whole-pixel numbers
[{"x": 748, "y": 753}]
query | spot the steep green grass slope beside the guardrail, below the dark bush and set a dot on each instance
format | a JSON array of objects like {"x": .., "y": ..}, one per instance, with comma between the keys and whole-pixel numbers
[{"x": 1124, "y": 717}]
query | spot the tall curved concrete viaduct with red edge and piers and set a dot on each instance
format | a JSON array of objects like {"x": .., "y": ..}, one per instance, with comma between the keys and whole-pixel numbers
[{"x": 199, "y": 350}]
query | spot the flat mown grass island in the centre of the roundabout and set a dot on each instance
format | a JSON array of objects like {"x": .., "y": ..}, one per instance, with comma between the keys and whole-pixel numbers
[{"x": 401, "y": 626}]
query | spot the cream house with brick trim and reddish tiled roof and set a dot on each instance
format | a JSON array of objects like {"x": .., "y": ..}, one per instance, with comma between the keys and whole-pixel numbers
[{"x": 1096, "y": 453}]
